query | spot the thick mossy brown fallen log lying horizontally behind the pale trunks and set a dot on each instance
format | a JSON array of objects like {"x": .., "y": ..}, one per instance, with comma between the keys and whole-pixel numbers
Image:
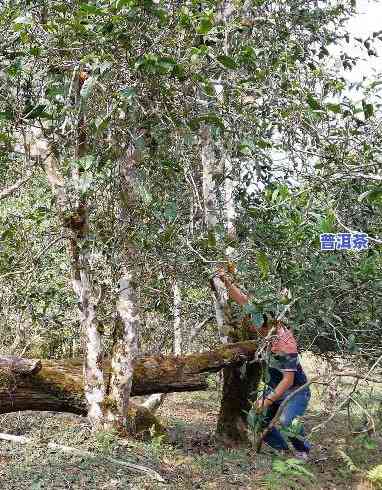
[{"x": 58, "y": 385}]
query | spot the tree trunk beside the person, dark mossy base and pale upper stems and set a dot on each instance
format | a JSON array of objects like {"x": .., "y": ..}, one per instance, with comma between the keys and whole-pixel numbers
[{"x": 239, "y": 383}]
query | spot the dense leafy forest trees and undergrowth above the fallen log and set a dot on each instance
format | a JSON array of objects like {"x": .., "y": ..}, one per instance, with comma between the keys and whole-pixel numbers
[{"x": 145, "y": 143}]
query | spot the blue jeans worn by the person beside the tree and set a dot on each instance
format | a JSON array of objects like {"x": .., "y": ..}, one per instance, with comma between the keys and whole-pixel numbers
[{"x": 295, "y": 407}]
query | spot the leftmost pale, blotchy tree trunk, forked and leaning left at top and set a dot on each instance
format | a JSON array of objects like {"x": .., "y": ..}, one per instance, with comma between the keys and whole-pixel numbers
[{"x": 75, "y": 221}]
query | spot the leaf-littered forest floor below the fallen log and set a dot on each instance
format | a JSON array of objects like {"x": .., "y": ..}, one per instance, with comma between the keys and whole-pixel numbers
[{"x": 190, "y": 461}]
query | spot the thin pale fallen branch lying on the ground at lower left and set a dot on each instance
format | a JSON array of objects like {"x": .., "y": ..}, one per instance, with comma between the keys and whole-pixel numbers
[{"x": 136, "y": 468}]
